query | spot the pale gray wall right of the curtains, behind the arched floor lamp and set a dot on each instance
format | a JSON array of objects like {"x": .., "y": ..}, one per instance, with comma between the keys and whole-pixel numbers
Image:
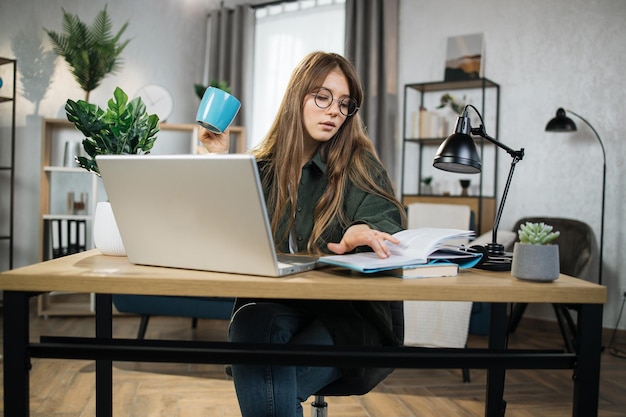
[{"x": 544, "y": 55}]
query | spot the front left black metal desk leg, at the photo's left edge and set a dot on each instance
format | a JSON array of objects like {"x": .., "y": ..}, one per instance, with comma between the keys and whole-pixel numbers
[{"x": 16, "y": 359}]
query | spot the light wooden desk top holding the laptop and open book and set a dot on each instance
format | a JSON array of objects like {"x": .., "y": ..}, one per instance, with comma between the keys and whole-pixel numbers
[{"x": 92, "y": 272}]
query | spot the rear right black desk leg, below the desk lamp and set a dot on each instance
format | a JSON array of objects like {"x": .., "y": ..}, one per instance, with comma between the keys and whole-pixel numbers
[{"x": 495, "y": 406}]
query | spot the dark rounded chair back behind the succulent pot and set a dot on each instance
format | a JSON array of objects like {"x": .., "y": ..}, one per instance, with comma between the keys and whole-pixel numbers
[{"x": 577, "y": 245}]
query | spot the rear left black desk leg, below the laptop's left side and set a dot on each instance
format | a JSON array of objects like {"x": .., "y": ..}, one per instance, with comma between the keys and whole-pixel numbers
[{"x": 104, "y": 367}]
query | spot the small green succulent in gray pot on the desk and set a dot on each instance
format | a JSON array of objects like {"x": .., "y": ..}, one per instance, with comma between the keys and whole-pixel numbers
[{"x": 535, "y": 258}]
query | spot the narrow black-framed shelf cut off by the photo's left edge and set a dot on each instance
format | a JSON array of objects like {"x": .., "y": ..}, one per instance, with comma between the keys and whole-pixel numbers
[{"x": 8, "y": 72}]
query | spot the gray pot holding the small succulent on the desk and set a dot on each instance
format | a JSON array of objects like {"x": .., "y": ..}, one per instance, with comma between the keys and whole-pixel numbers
[{"x": 535, "y": 262}]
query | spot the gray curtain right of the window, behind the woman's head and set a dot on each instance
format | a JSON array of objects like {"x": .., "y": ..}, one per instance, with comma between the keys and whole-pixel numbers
[{"x": 372, "y": 45}]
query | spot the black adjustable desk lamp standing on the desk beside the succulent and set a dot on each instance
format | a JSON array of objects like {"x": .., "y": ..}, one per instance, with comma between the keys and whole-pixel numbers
[{"x": 458, "y": 154}]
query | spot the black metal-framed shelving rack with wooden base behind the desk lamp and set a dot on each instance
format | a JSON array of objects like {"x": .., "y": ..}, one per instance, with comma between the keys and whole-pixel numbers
[{"x": 418, "y": 150}]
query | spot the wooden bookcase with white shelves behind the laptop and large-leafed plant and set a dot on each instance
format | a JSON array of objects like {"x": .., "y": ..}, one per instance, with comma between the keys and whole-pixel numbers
[{"x": 57, "y": 180}]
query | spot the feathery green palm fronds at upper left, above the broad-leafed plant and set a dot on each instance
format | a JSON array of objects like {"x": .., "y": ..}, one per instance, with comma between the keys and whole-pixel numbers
[{"x": 92, "y": 52}]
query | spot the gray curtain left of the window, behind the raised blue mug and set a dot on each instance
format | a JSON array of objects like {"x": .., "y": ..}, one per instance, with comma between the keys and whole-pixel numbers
[{"x": 229, "y": 52}]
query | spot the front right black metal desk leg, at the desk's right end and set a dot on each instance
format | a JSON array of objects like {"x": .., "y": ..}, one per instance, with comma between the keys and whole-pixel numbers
[{"x": 587, "y": 370}]
